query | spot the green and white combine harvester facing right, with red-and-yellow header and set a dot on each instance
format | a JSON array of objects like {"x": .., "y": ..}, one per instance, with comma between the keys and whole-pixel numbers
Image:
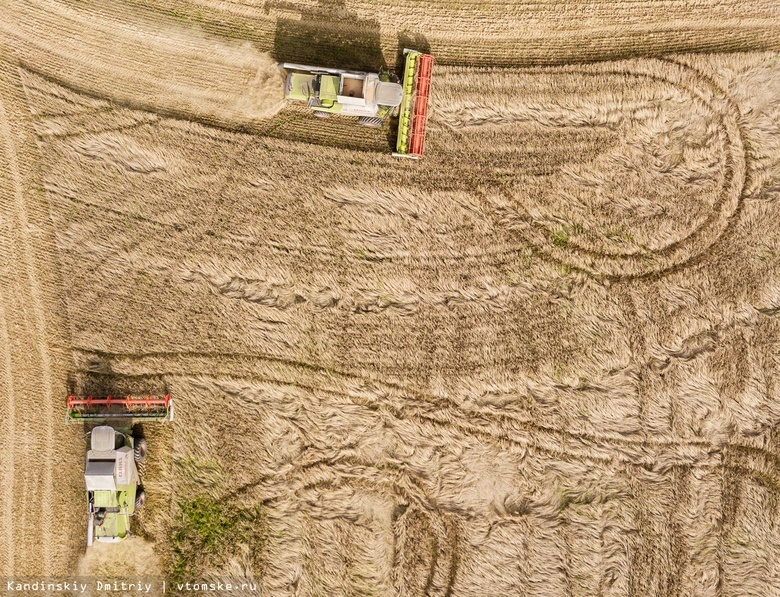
[{"x": 372, "y": 97}]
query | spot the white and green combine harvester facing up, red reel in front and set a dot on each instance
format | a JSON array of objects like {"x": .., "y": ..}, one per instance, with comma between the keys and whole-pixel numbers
[{"x": 111, "y": 471}]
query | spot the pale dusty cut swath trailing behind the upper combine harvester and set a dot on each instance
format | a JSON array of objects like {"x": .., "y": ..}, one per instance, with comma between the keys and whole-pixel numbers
[{"x": 165, "y": 68}]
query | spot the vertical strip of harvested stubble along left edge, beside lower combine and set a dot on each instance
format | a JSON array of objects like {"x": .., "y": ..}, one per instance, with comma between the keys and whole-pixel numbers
[{"x": 28, "y": 299}]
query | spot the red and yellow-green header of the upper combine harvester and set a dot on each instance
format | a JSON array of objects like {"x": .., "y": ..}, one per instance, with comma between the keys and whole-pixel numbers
[{"x": 413, "y": 116}]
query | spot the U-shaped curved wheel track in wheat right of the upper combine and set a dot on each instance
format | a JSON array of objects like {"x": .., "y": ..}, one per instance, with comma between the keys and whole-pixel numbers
[{"x": 589, "y": 253}]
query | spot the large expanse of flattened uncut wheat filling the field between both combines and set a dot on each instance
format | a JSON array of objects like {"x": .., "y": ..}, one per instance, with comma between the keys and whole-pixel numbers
[{"x": 546, "y": 362}]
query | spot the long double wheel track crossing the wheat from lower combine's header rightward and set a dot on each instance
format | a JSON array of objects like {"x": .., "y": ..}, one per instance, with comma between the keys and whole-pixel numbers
[{"x": 445, "y": 413}]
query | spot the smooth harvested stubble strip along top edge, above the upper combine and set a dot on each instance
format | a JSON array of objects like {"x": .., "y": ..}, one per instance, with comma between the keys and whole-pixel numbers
[{"x": 550, "y": 33}]
